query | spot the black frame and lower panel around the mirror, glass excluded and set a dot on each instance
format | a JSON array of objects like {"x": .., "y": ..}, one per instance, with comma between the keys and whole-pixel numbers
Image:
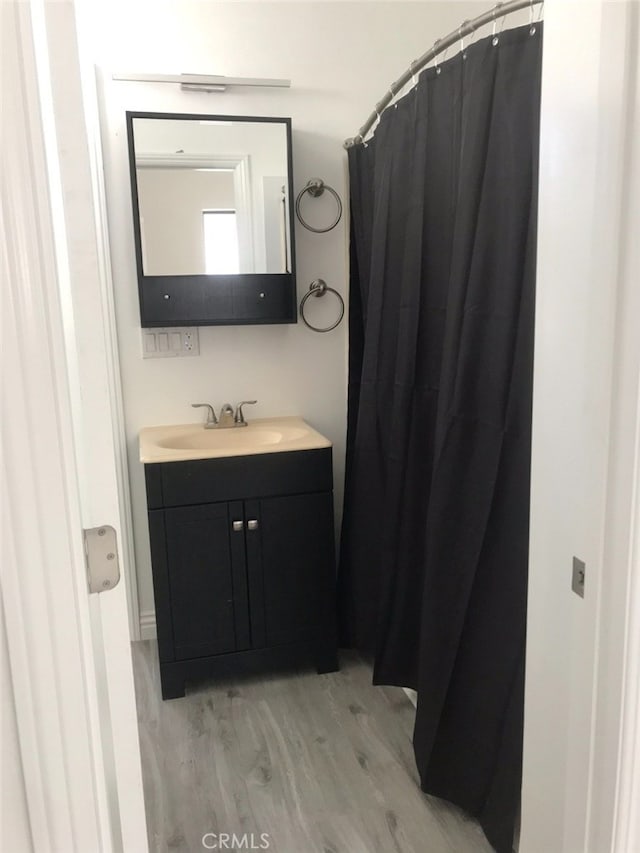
[{"x": 213, "y": 300}]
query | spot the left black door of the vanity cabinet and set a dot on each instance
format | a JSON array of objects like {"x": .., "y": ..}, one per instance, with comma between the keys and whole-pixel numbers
[{"x": 207, "y": 579}]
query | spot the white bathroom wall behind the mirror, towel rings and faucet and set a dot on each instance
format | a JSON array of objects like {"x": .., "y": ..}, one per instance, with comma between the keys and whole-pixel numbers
[{"x": 341, "y": 57}]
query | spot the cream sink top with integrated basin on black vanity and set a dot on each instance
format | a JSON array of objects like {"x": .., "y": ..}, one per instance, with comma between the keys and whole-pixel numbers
[{"x": 193, "y": 441}]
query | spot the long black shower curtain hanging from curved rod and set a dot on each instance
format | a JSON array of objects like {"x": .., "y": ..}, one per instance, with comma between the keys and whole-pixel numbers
[{"x": 433, "y": 569}]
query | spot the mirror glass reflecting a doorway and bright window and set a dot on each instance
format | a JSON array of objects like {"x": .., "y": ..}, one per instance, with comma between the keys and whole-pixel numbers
[{"x": 213, "y": 195}]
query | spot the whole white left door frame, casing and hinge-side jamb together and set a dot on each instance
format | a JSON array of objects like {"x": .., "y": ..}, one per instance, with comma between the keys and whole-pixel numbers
[{"x": 69, "y": 651}]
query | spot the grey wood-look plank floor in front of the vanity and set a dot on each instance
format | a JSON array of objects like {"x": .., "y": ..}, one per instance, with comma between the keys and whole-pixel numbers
[{"x": 321, "y": 763}]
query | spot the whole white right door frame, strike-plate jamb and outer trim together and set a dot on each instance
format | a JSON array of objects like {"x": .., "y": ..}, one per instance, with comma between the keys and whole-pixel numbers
[{"x": 581, "y": 665}]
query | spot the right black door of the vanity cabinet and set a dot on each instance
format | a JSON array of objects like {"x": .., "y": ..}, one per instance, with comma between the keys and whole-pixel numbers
[{"x": 291, "y": 560}]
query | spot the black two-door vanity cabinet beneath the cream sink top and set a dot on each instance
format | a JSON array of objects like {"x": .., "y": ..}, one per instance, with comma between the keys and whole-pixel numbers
[{"x": 243, "y": 563}]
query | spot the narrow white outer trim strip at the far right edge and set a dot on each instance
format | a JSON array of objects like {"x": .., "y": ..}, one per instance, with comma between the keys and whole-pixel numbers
[{"x": 614, "y": 821}]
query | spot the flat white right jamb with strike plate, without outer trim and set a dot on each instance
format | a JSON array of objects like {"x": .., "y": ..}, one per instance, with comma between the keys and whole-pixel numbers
[{"x": 584, "y": 129}]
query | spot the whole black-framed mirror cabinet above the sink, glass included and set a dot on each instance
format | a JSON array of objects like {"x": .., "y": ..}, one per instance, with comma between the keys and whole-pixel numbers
[{"x": 212, "y": 218}]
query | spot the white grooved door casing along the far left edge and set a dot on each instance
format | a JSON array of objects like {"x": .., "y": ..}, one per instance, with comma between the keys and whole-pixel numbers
[{"x": 44, "y": 593}]
